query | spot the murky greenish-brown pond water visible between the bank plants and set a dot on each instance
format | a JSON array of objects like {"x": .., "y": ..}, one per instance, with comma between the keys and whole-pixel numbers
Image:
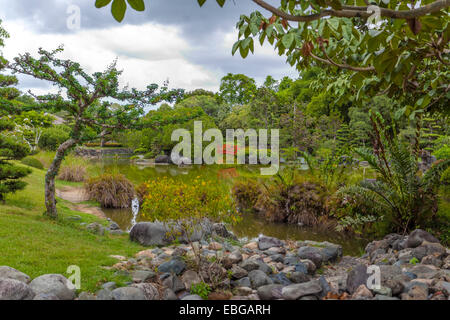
[{"x": 251, "y": 225}]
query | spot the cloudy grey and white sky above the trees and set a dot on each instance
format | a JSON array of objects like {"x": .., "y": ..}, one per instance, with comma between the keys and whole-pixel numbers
[{"x": 173, "y": 39}]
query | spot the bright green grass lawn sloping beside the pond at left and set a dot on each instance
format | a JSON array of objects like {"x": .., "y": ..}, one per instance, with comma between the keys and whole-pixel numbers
[{"x": 37, "y": 245}]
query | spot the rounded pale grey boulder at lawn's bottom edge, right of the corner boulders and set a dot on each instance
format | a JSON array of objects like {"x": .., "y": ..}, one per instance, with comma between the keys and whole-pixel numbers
[{"x": 54, "y": 284}]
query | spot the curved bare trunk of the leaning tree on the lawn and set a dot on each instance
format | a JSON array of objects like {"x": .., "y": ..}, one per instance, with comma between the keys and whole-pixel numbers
[{"x": 50, "y": 201}]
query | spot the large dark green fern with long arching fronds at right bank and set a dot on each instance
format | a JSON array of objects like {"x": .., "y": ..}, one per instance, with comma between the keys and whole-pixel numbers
[{"x": 400, "y": 195}]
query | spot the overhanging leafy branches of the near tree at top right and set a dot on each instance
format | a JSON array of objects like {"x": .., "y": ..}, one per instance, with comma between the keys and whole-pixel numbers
[{"x": 394, "y": 48}]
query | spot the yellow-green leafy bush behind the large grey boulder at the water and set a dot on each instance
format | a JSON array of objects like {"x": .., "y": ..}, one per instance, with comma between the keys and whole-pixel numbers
[{"x": 170, "y": 200}]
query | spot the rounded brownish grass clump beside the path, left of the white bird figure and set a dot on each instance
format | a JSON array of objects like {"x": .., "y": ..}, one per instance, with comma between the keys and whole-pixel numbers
[{"x": 111, "y": 190}]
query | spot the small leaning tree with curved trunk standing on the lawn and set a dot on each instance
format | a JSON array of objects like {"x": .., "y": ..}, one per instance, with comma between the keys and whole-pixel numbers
[{"x": 87, "y": 101}]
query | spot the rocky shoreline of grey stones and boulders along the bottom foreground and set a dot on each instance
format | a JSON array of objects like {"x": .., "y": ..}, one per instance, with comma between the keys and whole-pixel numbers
[{"x": 413, "y": 267}]
